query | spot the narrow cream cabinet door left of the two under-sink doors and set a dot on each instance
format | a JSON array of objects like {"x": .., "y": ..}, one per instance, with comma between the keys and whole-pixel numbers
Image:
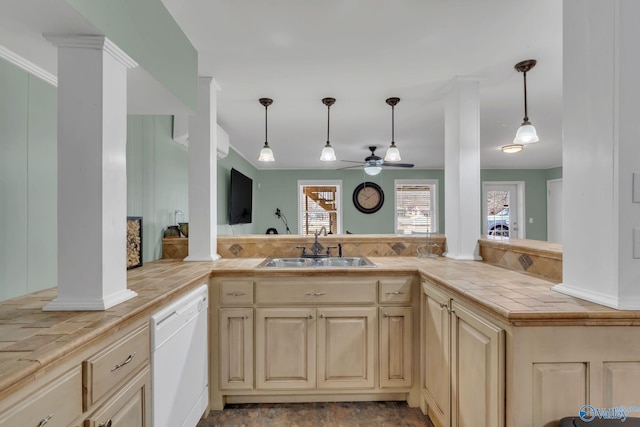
[{"x": 236, "y": 348}]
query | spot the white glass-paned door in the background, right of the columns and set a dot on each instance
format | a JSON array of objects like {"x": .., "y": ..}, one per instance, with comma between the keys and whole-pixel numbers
[{"x": 502, "y": 209}]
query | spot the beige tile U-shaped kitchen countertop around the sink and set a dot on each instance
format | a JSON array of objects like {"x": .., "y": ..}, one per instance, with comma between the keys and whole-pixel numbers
[{"x": 31, "y": 339}]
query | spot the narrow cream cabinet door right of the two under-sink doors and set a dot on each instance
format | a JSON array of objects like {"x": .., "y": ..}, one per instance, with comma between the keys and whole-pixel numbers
[{"x": 396, "y": 346}]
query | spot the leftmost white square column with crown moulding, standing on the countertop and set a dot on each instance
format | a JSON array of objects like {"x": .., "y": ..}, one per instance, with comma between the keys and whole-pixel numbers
[{"x": 92, "y": 174}]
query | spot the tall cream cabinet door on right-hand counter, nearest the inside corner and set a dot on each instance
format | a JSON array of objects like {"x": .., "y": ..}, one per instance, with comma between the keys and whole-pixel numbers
[{"x": 436, "y": 360}]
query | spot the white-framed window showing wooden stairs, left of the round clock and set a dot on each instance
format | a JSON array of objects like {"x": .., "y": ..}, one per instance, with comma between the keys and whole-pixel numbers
[{"x": 319, "y": 206}]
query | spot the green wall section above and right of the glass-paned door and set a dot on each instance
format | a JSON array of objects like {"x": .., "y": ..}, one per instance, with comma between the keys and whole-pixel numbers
[{"x": 535, "y": 187}]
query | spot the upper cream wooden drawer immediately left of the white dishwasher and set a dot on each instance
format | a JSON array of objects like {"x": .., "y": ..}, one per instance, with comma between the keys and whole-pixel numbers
[{"x": 114, "y": 364}]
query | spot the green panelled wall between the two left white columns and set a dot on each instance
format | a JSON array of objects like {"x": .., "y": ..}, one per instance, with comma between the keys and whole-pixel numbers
[{"x": 157, "y": 179}]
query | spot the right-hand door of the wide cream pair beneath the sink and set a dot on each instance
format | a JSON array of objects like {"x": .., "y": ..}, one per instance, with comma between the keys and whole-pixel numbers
[{"x": 346, "y": 345}]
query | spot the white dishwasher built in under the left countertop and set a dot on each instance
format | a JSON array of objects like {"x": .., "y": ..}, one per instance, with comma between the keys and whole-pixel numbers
[{"x": 179, "y": 361}]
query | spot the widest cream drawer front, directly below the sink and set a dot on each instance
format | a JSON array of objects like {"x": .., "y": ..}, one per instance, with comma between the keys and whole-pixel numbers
[{"x": 313, "y": 291}]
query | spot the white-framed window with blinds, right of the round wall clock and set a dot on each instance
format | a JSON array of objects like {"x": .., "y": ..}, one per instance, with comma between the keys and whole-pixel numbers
[{"x": 416, "y": 207}]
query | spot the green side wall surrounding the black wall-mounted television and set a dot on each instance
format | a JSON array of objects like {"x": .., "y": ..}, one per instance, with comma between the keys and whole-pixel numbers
[{"x": 234, "y": 160}]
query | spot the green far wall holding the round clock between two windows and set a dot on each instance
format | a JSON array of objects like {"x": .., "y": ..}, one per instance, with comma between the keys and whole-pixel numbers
[{"x": 279, "y": 189}]
